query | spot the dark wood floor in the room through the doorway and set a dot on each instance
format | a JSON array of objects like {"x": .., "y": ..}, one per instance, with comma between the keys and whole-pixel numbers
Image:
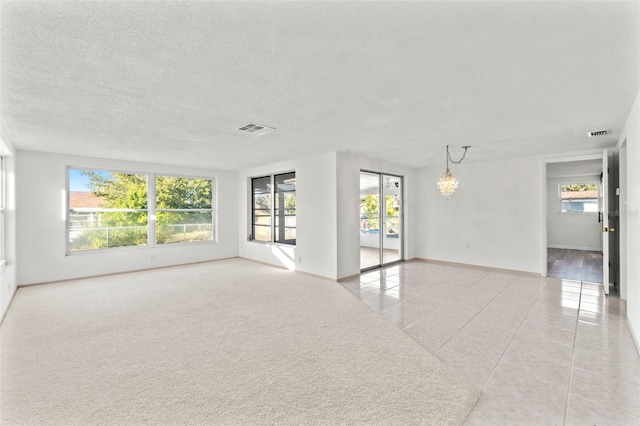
[{"x": 575, "y": 265}]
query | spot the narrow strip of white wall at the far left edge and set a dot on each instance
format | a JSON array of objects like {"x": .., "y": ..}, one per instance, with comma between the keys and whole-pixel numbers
[{"x": 8, "y": 278}]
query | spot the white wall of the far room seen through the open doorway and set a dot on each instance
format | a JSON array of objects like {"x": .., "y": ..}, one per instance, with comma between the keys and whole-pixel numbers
[{"x": 578, "y": 231}]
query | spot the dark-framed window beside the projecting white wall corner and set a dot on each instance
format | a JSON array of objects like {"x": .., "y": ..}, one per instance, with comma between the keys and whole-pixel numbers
[{"x": 273, "y": 211}]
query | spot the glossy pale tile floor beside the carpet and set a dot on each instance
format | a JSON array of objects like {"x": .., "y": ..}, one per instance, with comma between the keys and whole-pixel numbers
[{"x": 543, "y": 350}]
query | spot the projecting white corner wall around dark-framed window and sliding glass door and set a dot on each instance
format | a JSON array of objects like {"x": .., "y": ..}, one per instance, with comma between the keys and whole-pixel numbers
[{"x": 328, "y": 209}]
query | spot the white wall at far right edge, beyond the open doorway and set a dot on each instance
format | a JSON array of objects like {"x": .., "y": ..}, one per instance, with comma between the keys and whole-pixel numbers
[{"x": 630, "y": 222}]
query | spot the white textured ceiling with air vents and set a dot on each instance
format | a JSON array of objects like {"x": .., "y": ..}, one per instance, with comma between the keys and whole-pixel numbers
[{"x": 170, "y": 82}]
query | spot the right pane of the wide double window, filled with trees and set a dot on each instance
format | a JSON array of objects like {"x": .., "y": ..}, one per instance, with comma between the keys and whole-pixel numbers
[{"x": 184, "y": 209}]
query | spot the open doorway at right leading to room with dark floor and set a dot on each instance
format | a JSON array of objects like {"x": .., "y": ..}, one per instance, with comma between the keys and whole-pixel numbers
[{"x": 581, "y": 242}]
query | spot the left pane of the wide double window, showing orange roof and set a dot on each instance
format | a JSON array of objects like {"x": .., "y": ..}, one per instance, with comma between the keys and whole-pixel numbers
[{"x": 107, "y": 209}]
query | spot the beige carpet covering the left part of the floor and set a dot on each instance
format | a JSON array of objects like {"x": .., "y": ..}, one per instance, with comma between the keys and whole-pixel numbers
[{"x": 227, "y": 342}]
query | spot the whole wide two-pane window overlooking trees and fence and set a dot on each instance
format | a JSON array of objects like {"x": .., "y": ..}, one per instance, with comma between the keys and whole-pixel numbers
[{"x": 108, "y": 209}]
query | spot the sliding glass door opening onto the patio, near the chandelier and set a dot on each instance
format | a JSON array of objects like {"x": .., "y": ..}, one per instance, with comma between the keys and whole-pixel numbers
[{"x": 381, "y": 224}]
